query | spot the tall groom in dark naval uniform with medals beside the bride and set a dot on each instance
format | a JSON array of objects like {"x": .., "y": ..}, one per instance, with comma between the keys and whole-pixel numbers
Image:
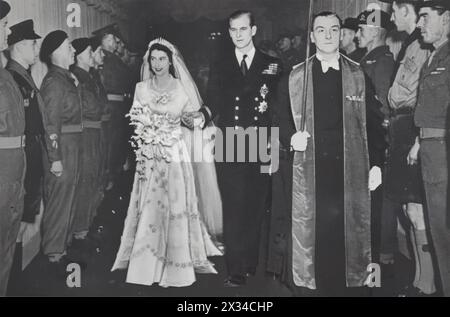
[{"x": 241, "y": 92}]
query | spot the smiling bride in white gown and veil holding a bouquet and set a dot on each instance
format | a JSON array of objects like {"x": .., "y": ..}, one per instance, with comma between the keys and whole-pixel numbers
[{"x": 165, "y": 239}]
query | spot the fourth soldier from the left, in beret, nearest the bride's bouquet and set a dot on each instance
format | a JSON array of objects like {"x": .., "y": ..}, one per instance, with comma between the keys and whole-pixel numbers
[{"x": 88, "y": 191}]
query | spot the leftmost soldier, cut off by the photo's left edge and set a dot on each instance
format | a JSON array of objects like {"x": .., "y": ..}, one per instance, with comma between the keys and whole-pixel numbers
[{"x": 12, "y": 158}]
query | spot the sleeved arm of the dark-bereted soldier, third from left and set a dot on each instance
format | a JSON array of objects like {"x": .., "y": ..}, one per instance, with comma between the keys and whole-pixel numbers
[{"x": 53, "y": 96}]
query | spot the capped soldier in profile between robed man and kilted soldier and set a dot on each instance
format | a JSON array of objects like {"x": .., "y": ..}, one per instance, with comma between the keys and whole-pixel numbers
[{"x": 379, "y": 62}]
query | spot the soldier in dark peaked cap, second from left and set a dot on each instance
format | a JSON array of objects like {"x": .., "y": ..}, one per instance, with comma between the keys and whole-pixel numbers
[{"x": 23, "y": 51}]
